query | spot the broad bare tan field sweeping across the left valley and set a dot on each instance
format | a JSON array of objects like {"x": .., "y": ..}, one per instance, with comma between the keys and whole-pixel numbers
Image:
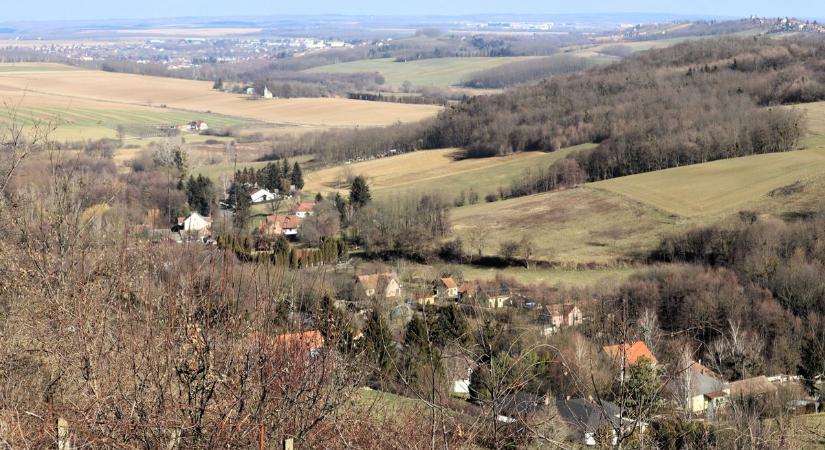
[{"x": 115, "y": 90}]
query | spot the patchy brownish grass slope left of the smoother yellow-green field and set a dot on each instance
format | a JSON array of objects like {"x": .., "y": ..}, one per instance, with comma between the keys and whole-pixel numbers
[{"x": 581, "y": 225}]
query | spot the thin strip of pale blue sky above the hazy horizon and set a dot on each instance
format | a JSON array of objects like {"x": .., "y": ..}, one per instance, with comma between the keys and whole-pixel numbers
[{"x": 101, "y": 9}]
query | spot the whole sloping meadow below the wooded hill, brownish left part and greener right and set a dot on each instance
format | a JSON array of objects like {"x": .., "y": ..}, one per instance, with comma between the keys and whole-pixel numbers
[{"x": 606, "y": 221}]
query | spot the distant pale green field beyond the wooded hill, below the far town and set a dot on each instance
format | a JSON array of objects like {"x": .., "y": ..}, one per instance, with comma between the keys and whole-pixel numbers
[{"x": 425, "y": 72}]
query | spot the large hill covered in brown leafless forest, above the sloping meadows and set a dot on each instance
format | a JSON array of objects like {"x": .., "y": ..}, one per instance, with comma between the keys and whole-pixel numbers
[{"x": 691, "y": 103}]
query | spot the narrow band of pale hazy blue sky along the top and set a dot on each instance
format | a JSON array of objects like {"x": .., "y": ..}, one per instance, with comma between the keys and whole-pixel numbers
[{"x": 35, "y": 11}]
